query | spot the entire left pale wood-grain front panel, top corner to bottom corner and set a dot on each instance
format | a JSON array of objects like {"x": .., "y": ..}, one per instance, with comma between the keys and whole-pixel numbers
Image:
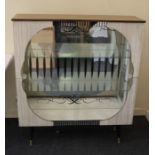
[{"x": 23, "y": 32}]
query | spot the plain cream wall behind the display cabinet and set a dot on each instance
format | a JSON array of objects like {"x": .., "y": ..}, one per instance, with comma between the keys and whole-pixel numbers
[{"x": 137, "y": 8}]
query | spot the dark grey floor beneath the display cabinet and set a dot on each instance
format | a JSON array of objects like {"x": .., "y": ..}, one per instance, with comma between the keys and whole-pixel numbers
[{"x": 78, "y": 140}]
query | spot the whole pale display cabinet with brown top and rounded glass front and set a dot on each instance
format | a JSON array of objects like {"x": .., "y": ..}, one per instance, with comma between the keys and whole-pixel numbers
[{"x": 76, "y": 69}]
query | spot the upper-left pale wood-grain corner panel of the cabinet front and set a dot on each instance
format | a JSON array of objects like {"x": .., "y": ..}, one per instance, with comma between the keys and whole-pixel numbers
[{"x": 23, "y": 32}]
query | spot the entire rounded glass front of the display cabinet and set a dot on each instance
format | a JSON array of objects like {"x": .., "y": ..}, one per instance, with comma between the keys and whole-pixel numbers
[{"x": 77, "y": 71}]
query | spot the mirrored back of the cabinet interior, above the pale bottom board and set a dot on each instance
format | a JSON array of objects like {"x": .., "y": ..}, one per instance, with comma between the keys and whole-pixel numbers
[{"x": 77, "y": 59}]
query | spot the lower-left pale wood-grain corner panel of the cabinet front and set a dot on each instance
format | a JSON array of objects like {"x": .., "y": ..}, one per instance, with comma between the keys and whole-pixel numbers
[{"x": 25, "y": 115}]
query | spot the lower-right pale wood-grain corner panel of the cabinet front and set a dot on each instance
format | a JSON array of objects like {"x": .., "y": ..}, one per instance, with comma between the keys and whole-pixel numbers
[{"x": 125, "y": 116}]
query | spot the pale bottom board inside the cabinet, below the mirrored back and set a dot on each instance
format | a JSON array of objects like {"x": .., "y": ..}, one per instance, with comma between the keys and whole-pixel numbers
[{"x": 93, "y": 110}]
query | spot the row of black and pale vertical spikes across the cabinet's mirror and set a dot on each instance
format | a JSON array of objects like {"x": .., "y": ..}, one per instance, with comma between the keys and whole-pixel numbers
[{"x": 75, "y": 74}]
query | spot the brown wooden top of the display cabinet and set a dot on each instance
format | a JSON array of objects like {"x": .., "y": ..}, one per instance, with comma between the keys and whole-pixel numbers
[{"x": 55, "y": 17}]
